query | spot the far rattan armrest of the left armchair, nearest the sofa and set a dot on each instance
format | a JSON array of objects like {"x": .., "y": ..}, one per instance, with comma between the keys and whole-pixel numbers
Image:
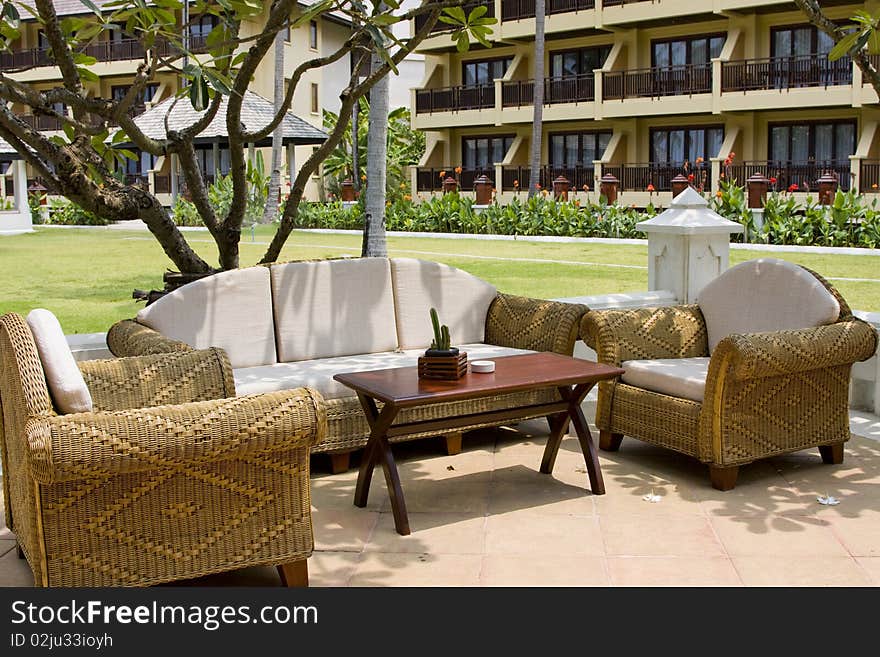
[{"x": 158, "y": 380}]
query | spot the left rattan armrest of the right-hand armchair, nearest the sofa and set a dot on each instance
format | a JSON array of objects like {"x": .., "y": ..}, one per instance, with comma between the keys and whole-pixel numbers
[{"x": 645, "y": 333}]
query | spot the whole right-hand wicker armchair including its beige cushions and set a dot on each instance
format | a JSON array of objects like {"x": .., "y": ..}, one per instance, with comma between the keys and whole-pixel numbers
[{"x": 758, "y": 367}]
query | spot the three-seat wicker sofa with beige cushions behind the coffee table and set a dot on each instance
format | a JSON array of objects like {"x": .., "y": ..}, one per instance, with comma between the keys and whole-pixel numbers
[{"x": 299, "y": 323}]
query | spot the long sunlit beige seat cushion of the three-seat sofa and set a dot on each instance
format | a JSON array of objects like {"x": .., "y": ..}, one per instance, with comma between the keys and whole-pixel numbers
[{"x": 319, "y": 373}]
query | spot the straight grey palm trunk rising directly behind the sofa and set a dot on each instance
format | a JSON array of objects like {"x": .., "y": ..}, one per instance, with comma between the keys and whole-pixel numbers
[{"x": 377, "y": 146}]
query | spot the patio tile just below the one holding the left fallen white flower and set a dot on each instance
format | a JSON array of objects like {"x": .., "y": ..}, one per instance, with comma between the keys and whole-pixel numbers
[{"x": 659, "y": 535}]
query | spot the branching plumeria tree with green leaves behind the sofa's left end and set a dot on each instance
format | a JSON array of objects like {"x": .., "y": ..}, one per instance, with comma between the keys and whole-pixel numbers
[{"x": 79, "y": 165}]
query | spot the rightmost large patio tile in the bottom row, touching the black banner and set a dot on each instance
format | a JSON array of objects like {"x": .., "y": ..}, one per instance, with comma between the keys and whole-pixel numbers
[{"x": 800, "y": 571}]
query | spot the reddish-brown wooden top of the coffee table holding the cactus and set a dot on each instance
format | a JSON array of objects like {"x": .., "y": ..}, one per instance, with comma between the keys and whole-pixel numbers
[{"x": 403, "y": 387}]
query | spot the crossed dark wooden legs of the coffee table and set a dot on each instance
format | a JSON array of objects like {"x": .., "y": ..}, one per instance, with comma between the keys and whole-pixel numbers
[{"x": 378, "y": 449}]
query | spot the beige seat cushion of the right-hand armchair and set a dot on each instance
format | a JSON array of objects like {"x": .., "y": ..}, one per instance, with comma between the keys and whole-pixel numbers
[{"x": 676, "y": 377}]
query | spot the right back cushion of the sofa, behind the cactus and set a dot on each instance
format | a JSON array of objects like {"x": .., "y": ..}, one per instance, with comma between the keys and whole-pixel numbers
[{"x": 462, "y": 302}]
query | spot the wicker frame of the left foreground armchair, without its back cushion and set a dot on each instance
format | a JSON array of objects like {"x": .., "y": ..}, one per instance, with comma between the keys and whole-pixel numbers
[{"x": 170, "y": 477}]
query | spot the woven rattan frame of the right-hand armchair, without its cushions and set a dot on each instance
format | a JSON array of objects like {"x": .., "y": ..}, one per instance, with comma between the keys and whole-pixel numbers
[{"x": 764, "y": 393}]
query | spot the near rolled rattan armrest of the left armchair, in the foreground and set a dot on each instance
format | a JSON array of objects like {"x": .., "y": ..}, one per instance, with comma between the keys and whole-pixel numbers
[{"x": 88, "y": 445}]
